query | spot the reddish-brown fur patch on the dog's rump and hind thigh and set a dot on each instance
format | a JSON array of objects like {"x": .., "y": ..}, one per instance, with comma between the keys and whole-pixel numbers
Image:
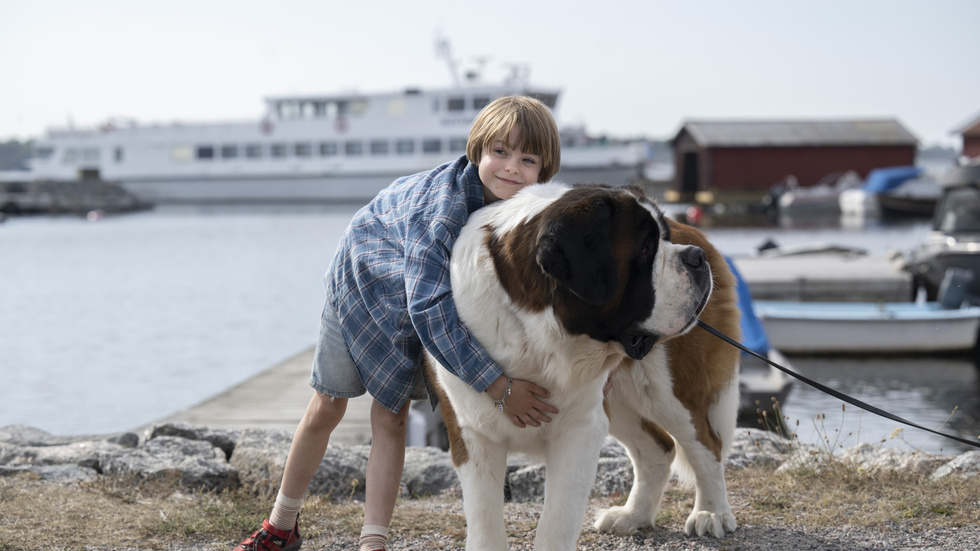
[{"x": 700, "y": 368}]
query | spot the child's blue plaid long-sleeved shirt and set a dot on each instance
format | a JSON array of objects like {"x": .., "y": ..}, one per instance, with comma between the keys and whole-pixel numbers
[{"x": 390, "y": 283}]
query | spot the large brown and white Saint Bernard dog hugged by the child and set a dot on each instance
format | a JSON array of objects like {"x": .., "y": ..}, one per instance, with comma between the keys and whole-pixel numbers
[{"x": 565, "y": 285}]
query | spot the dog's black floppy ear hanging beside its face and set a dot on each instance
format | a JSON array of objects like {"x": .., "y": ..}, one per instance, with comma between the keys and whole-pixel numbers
[{"x": 574, "y": 249}]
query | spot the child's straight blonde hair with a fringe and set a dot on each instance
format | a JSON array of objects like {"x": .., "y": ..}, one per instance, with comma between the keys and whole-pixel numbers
[{"x": 538, "y": 131}]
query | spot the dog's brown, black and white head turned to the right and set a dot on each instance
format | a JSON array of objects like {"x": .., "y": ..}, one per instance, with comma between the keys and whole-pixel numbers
[{"x": 604, "y": 262}]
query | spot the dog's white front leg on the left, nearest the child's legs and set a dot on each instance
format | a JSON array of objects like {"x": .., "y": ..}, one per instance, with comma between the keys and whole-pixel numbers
[{"x": 482, "y": 479}]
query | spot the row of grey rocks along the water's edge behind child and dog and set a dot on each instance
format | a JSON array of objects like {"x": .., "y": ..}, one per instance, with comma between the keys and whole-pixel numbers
[{"x": 212, "y": 459}]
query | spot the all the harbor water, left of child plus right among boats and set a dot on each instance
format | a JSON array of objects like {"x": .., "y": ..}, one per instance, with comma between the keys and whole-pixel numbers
[{"x": 107, "y": 326}]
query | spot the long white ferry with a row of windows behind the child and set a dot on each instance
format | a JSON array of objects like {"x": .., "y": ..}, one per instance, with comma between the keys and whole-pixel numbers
[{"x": 340, "y": 147}]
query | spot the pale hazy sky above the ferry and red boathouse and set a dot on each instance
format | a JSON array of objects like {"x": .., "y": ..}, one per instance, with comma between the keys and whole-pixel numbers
[{"x": 625, "y": 68}]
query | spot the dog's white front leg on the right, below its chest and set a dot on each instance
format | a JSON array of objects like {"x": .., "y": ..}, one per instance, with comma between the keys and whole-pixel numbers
[{"x": 571, "y": 461}]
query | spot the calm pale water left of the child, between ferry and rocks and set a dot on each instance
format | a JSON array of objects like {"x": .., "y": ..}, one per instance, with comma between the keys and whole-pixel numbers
[{"x": 108, "y": 326}]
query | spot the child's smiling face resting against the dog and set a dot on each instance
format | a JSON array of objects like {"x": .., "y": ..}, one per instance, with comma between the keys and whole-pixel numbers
[{"x": 506, "y": 170}]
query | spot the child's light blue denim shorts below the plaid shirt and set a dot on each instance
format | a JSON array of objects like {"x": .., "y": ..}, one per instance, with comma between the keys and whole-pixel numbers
[{"x": 334, "y": 372}]
